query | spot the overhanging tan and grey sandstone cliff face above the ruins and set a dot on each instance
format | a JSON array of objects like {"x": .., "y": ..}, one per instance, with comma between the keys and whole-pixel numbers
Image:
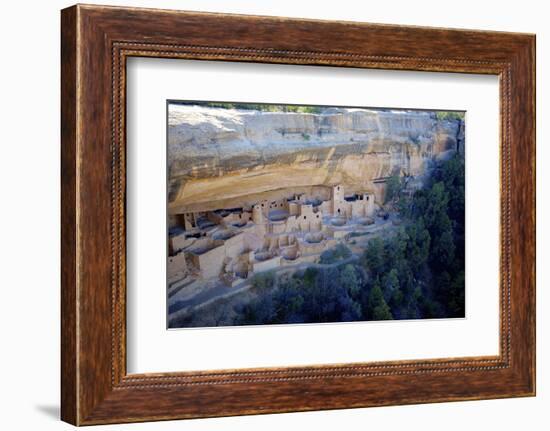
[{"x": 220, "y": 158}]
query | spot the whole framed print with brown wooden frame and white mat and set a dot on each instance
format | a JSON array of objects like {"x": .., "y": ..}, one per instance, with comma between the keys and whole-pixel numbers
[{"x": 279, "y": 215}]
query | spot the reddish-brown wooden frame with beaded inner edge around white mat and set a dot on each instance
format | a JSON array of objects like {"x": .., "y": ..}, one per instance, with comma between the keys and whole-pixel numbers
[{"x": 96, "y": 41}]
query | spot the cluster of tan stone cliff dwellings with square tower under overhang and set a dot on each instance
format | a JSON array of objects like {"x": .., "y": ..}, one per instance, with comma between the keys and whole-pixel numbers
[{"x": 233, "y": 244}]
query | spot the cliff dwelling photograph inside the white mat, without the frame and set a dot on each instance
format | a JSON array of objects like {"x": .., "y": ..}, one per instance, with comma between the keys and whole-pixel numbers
[{"x": 303, "y": 214}]
